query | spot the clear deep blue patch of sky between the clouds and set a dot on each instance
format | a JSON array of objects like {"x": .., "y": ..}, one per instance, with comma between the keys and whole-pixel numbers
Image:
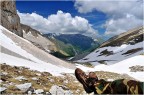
[{"x": 46, "y": 8}]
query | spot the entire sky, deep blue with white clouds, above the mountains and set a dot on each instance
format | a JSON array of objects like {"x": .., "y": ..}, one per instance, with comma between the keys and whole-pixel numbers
[{"x": 93, "y": 18}]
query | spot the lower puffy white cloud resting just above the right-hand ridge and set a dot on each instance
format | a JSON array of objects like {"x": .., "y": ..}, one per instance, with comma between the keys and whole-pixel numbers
[{"x": 120, "y": 25}]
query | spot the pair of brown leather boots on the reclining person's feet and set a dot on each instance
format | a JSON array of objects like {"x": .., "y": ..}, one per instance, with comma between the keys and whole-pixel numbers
[{"x": 86, "y": 80}]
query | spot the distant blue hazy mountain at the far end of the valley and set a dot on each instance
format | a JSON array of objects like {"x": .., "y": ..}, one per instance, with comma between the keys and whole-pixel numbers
[{"x": 81, "y": 41}]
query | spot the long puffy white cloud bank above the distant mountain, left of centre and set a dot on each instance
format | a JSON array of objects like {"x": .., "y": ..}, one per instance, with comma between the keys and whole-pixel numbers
[{"x": 58, "y": 23}]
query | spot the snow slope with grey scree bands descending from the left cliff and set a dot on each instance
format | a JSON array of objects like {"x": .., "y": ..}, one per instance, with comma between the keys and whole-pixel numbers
[{"x": 17, "y": 51}]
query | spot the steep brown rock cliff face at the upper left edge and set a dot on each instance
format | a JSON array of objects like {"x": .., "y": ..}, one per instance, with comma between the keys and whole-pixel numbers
[{"x": 9, "y": 17}]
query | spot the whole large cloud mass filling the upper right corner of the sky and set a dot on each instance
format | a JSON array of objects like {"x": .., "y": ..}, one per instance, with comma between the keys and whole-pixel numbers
[{"x": 123, "y": 14}]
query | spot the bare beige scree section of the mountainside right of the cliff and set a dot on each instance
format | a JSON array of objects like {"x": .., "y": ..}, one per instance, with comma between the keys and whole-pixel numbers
[{"x": 37, "y": 39}]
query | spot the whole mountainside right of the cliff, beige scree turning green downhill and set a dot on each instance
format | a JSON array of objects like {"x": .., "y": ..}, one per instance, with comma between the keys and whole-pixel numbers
[{"x": 50, "y": 45}]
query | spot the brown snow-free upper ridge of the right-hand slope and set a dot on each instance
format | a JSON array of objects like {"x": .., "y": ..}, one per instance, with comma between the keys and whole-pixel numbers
[{"x": 131, "y": 37}]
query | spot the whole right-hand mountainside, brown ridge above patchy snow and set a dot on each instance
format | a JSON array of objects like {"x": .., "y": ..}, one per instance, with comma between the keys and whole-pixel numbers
[{"x": 117, "y": 48}]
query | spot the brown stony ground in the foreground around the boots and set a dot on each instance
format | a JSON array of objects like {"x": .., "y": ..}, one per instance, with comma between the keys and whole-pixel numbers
[{"x": 21, "y": 80}]
